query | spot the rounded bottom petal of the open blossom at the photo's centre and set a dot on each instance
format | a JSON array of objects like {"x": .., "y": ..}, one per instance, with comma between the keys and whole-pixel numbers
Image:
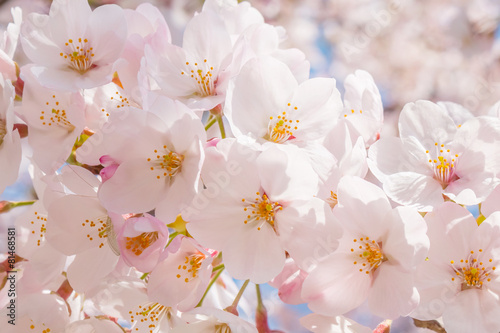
[{"x": 254, "y": 254}]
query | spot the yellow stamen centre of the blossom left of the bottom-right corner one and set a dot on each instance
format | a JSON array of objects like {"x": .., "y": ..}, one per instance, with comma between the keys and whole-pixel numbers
[{"x": 368, "y": 254}]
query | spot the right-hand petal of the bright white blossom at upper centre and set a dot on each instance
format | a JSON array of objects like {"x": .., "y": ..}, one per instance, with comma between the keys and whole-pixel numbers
[{"x": 318, "y": 105}]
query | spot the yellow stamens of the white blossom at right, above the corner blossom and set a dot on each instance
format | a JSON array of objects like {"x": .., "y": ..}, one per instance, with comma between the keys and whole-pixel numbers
[{"x": 443, "y": 163}]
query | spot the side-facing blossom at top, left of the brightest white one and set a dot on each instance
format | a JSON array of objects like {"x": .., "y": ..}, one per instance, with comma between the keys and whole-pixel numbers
[{"x": 198, "y": 67}]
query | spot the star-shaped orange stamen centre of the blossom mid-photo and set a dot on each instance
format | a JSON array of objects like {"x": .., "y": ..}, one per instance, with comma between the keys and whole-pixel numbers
[{"x": 261, "y": 210}]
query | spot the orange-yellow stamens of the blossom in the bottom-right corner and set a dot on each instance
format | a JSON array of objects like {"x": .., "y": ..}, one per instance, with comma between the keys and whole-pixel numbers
[{"x": 472, "y": 272}]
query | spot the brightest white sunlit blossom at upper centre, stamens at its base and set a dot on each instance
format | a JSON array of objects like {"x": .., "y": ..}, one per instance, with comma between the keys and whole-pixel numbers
[{"x": 268, "y": 104}]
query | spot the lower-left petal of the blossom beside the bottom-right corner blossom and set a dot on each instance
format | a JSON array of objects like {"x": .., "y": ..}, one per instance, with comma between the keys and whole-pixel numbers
[{"x": 336, "y": 286}]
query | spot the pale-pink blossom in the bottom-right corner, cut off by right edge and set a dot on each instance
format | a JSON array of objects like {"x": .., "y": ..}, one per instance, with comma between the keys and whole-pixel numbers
[{"x": 459, "y": 281}]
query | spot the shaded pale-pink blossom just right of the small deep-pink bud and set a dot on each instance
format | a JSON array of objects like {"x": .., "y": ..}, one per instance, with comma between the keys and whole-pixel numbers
[{"x": 159, "y": 167}]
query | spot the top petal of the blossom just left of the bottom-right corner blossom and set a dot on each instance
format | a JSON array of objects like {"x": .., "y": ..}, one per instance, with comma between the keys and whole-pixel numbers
[{"x": 362, "y": 207}]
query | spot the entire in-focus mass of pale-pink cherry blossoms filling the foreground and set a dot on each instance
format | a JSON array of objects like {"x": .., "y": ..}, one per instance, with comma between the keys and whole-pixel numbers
[{"x": 165, "y": 171}]
